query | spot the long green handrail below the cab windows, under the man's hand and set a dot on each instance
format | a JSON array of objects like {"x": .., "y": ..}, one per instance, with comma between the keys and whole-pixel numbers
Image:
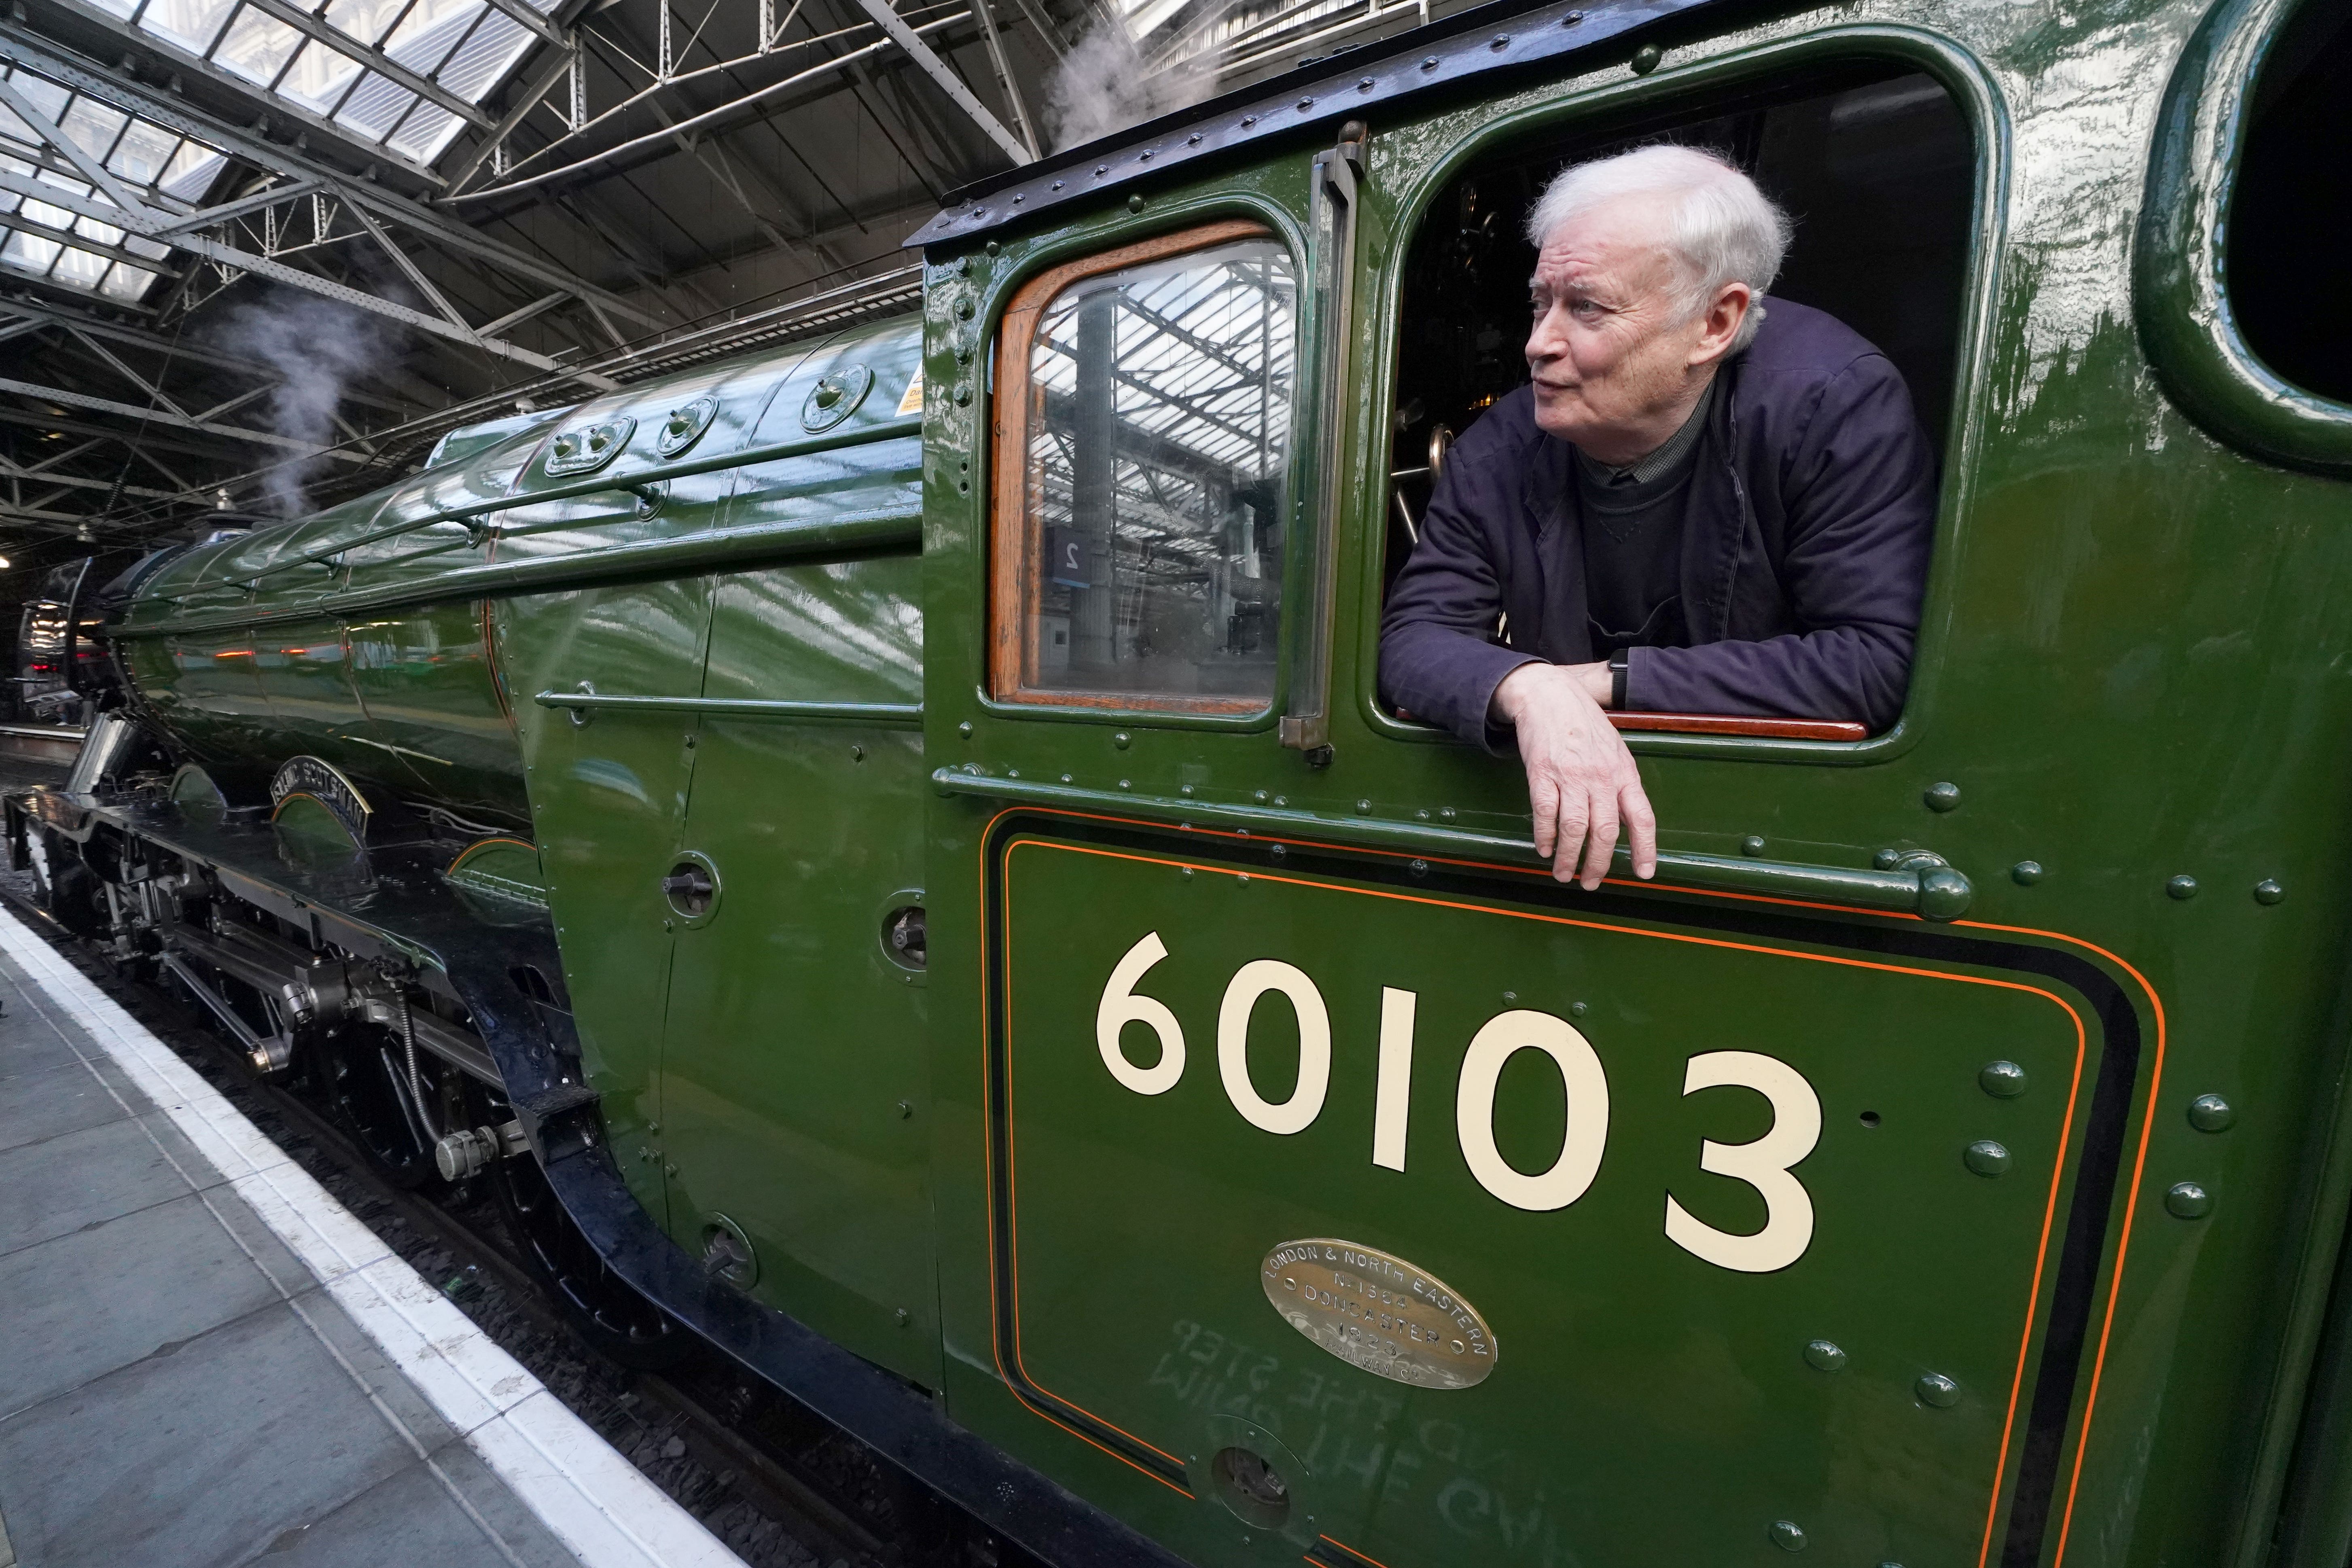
[{"x": 1927, "y": 887}]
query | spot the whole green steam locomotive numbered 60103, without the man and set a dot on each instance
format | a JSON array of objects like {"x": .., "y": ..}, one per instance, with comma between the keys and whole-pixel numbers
[{"x": 890, "y": 855}]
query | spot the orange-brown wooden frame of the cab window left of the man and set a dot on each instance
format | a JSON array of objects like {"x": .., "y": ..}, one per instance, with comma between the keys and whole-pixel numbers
[{"x": 1015, "y": 511}]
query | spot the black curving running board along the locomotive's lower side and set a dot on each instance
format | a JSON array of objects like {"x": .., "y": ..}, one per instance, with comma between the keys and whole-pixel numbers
[{"x": 420, "y": 916}]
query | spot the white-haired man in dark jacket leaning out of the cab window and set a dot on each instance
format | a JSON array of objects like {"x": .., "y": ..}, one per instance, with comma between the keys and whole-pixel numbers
[{"x": 1706, "y": 502}]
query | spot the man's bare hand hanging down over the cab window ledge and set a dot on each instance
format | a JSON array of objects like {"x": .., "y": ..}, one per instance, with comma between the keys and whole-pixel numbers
[{"x": 1579, "y": 777}]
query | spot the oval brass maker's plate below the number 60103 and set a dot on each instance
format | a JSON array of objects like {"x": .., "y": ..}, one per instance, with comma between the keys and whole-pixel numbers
[{"x": 1379, "y": 1313}]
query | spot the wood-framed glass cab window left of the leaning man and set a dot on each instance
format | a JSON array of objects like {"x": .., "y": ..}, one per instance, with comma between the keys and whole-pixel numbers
[{"x": 1144, "y": 445}]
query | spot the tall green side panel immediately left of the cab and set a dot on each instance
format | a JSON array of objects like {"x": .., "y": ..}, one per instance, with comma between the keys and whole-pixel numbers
[{"x": 796, "y": 1080}]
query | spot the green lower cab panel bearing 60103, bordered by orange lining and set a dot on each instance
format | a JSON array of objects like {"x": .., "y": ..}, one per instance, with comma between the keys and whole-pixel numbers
[{"x": 1631, "y": 1351}]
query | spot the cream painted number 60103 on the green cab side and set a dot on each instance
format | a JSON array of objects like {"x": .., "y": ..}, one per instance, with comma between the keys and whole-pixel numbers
[{"x": 1765, "y": 1165}]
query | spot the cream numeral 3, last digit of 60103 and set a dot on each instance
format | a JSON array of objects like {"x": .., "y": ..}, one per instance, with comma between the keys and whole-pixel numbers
[{"x": 1763, "y": 1165}]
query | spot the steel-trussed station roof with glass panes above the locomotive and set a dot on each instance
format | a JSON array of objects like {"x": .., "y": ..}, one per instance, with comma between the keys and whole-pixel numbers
[{"x": 507, "y": 203}]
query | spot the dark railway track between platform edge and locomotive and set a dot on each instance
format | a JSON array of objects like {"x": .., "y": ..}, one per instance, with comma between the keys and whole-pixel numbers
[{"x": 777, "y": 1485}]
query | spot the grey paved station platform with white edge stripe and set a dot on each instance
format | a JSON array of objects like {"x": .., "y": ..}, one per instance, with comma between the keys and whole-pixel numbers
[{"x": 211, "y": 1362}]
